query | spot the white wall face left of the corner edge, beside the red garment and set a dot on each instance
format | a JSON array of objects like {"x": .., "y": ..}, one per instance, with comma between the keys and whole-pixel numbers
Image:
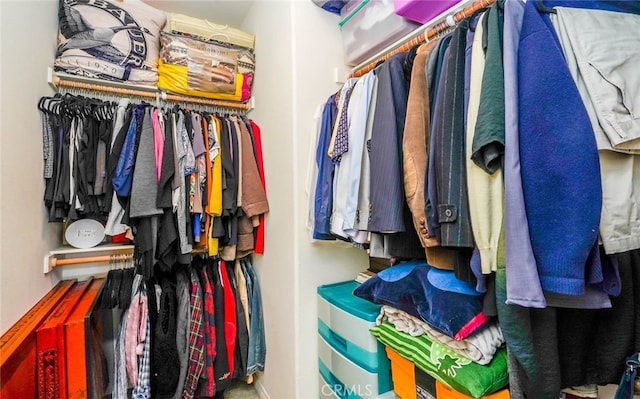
[{"x": 270, "y": 21}]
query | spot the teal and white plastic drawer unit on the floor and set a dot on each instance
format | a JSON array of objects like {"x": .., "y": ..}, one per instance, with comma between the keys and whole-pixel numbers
[{"x": 351, "y": 361}]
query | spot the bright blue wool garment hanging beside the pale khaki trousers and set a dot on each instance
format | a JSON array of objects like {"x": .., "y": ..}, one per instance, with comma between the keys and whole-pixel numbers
[{"x": 559, "y": 159}]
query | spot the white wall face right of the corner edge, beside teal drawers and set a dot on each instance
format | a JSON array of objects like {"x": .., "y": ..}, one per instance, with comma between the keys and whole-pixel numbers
[{"x": 317, "y": 51}]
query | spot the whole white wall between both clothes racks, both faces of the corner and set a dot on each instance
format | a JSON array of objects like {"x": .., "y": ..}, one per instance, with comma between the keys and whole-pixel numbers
[{"x": 297, "y": 47}]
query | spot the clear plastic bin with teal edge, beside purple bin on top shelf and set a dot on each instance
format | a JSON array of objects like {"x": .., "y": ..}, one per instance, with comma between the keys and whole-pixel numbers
[{"x": 368, "y": 26}]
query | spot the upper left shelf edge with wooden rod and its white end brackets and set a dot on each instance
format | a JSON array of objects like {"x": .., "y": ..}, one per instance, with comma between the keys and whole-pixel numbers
[{"x": 58, "y": 79}]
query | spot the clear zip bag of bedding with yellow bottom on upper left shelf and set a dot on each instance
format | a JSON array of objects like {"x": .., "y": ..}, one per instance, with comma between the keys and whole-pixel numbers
[{"x": 199, "y": 68}]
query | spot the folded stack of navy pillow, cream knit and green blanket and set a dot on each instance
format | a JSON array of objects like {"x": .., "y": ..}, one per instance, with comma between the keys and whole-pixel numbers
[{"x": 435, "y": 321}]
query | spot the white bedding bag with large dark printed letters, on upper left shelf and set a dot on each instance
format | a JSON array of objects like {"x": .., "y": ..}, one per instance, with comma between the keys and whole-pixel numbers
[{"x": 109, "y": 40}]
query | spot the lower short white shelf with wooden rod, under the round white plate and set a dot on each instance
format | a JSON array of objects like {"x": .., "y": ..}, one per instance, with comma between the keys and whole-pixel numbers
[{"x": 67, "y": 255}]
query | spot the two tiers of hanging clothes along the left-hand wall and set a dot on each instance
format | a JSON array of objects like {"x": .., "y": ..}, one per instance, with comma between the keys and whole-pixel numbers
[{"x": 181, "y": 184}]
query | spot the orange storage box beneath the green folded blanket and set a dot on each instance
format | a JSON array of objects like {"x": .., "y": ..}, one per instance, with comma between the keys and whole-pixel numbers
[{"x": 410, "y": 382}]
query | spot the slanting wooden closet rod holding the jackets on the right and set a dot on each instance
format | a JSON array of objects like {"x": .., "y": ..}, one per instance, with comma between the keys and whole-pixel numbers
[{"x": 436, "y": 29}]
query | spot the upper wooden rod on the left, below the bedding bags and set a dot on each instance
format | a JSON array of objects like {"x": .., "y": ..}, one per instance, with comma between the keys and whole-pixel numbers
[{"x": 57, "y": 81}]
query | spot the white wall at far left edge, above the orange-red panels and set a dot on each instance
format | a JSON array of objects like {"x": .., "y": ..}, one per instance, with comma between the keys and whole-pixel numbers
[{"x": 27, "y": 48}]
